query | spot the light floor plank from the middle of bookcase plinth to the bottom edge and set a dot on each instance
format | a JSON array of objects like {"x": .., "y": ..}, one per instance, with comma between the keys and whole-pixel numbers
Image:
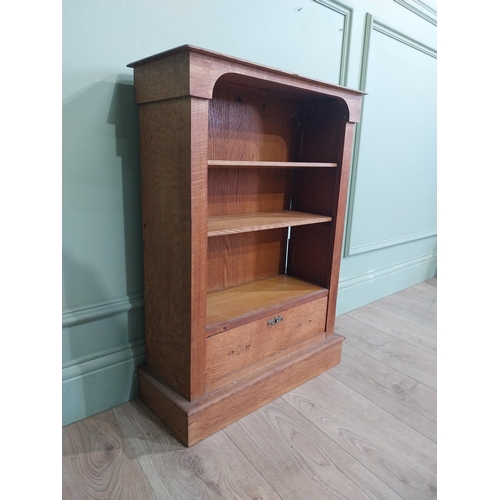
[{"x": 299, "y": 461}]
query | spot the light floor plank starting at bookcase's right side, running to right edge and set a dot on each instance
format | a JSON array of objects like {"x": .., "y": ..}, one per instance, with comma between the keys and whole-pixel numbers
[{"x": 398, "y": 354}]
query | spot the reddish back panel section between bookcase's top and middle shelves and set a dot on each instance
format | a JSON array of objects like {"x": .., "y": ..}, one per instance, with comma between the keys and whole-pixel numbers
[{"x": 237, "y": 191}]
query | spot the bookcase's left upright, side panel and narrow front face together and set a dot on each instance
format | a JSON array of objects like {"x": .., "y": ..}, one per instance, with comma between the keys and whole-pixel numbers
[{"x": 174, "y": 191}]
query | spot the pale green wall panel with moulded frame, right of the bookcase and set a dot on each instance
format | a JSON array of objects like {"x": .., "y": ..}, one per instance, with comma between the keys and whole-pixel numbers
[{"x": 393, "y": 188}]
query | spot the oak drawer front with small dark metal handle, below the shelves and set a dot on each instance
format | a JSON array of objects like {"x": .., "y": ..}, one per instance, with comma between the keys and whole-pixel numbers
[{"x": 240, "y": 347}]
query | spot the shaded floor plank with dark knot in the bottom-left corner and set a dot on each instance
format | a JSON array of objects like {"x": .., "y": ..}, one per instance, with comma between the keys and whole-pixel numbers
[{"x": 95, "y": 465}]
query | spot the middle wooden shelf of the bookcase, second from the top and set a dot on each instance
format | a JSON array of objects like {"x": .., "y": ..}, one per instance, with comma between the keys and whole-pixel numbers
[{"x": 260, "y": 221}]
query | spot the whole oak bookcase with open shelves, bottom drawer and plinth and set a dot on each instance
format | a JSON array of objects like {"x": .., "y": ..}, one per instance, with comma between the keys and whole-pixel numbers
[{"x": 244, "y": 173}]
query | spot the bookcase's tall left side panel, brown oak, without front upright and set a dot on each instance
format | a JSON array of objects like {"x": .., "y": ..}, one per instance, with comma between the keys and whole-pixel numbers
[{"x": 165, "y": 130}]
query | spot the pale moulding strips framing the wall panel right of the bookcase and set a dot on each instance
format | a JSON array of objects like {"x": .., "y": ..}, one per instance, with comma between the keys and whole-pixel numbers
[{"x": 371, "y": 25}]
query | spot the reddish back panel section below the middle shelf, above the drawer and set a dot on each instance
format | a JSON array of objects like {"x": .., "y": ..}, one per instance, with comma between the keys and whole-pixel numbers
[{"x": 240, "y": 258}]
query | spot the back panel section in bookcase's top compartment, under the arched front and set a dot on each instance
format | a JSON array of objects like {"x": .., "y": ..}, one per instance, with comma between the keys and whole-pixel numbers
[{"x": 247, "y": 125}]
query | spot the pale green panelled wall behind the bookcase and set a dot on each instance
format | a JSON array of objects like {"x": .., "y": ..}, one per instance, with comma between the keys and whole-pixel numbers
[{"x": 384, "y": 47}]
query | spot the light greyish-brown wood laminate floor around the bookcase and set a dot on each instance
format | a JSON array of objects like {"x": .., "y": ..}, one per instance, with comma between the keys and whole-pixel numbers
[{"x": 364, "y": 429}]
